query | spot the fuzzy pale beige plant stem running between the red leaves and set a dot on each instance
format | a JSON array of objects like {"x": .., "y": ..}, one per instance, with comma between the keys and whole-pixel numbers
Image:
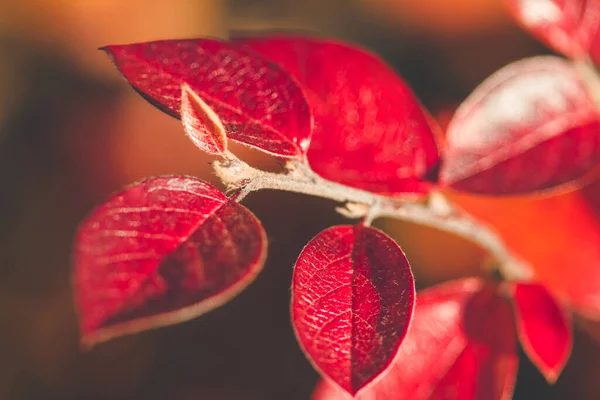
[{"x": 436, "y": 213}]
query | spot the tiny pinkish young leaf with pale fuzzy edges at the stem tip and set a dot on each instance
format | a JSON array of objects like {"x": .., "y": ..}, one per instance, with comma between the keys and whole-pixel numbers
[{"x": 201, "y": 124}]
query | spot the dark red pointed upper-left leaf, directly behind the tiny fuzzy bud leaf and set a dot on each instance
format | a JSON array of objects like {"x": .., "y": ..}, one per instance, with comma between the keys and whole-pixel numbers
[{"x": 259, "y": 104}]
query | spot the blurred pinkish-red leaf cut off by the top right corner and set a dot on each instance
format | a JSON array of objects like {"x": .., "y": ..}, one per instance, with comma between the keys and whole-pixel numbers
[{"x": 568, "y": 26}]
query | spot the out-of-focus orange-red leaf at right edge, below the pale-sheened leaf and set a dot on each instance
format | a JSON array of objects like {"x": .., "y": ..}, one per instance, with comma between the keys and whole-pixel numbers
[{"x": 562, "y": 231}]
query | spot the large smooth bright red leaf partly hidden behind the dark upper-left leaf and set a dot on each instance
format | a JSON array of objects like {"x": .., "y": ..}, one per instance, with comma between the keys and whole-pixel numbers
[{"x": 370, "y": 131}]
